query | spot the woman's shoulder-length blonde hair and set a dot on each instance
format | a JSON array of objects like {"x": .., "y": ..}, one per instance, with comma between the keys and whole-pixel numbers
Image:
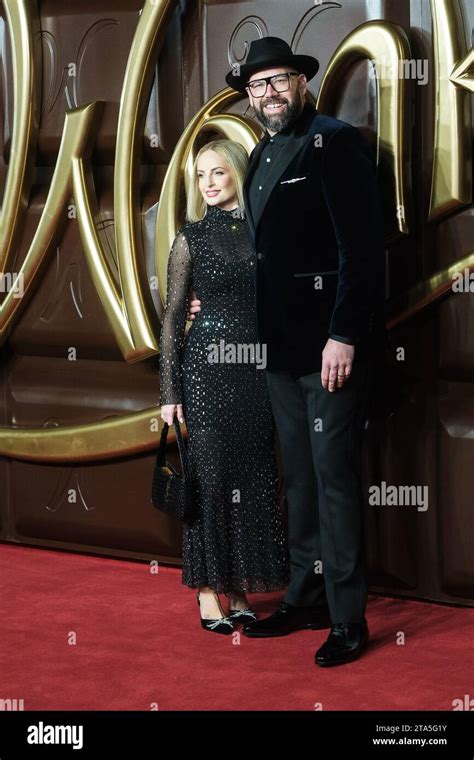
[{"x": 237, "y": 159}]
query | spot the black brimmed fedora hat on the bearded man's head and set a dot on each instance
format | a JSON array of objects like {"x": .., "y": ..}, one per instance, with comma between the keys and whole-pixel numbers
[{"x": 265, "y": 53}]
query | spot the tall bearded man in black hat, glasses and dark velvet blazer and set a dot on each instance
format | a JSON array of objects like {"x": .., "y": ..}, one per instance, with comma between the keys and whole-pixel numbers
[{"x": 312, "y": 204}]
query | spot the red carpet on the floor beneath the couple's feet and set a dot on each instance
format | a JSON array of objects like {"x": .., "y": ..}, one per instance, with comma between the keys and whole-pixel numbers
[{"x": 138, "y": 642}]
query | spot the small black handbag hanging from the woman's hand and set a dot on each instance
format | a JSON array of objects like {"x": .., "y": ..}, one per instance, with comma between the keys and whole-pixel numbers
[{"x": 172, "y": 492}]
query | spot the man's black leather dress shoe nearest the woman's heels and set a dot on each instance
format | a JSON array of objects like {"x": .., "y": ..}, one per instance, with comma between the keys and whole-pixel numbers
[{"x": 287, "y": 619}]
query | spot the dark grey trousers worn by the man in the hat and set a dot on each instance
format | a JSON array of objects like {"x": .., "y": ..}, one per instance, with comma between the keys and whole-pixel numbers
[{"x": 321, "y": 435}]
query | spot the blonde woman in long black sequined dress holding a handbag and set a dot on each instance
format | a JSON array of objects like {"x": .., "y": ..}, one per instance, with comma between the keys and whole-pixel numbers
[{"x": 237, "y": 544}]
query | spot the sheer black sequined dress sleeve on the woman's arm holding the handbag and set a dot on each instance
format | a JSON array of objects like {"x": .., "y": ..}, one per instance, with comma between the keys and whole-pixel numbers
[{"x": 174, "y": 321}]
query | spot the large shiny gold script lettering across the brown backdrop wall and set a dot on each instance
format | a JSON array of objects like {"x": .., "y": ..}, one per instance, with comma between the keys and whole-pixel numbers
[{"x": 126, "y": 299}]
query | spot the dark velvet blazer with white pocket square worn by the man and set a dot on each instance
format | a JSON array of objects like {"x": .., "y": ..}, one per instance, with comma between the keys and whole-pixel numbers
[{"x": 319, "y": 245}]
